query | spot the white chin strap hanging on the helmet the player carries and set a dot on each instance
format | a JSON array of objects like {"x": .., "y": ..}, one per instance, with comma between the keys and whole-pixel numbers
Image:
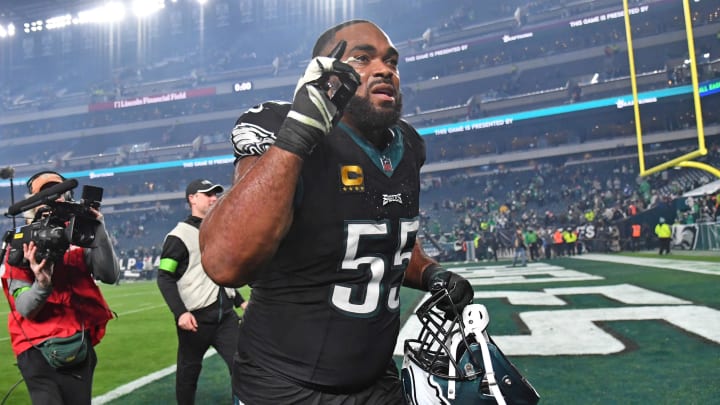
[{"x": 476, "y": 320}]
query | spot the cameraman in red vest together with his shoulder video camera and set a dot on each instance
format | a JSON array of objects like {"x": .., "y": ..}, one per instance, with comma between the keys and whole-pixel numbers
[{"x": 57, "y": 312}]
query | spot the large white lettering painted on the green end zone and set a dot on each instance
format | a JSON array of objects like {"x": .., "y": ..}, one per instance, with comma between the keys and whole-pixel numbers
[{"x": 568, "y": 322}]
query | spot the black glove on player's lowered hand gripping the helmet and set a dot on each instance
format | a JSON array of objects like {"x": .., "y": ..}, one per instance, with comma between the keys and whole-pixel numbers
[{"x": 460, "y": 292}]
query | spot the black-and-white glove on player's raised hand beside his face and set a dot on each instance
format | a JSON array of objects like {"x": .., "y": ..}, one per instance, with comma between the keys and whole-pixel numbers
[{"x": 313, "y": 115}]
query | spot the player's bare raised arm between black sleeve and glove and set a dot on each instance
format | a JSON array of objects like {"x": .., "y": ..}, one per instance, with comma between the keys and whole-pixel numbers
[{"x": 242, "y": 231}]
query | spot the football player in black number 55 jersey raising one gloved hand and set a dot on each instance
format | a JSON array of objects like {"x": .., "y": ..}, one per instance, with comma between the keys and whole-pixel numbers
[{"x": 323, "y": 225}]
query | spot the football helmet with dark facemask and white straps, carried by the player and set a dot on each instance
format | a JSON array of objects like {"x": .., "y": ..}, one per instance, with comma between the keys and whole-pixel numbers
[{"x": 456, "y": 362}]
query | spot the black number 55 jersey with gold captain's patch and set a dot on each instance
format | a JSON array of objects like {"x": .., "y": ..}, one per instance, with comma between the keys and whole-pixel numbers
[{"x": 325, "y": 313}]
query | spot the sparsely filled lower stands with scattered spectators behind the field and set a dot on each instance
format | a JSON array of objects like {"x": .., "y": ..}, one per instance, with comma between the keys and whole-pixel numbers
[{"x": 473, "y": 207}]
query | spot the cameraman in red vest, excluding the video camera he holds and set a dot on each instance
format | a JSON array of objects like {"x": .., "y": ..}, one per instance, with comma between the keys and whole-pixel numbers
[{"x": 58, "y": 300}]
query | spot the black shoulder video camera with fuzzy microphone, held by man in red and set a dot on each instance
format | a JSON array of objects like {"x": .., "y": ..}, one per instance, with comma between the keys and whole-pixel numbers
[{"x": 57, "y": 225}]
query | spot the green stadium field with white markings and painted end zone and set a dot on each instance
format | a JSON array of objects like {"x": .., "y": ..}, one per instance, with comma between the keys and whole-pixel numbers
[{"x": 593, "y": 329}]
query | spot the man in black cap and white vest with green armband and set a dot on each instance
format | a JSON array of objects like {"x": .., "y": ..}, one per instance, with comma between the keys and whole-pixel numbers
[{"x": 203, "y": 311}]
